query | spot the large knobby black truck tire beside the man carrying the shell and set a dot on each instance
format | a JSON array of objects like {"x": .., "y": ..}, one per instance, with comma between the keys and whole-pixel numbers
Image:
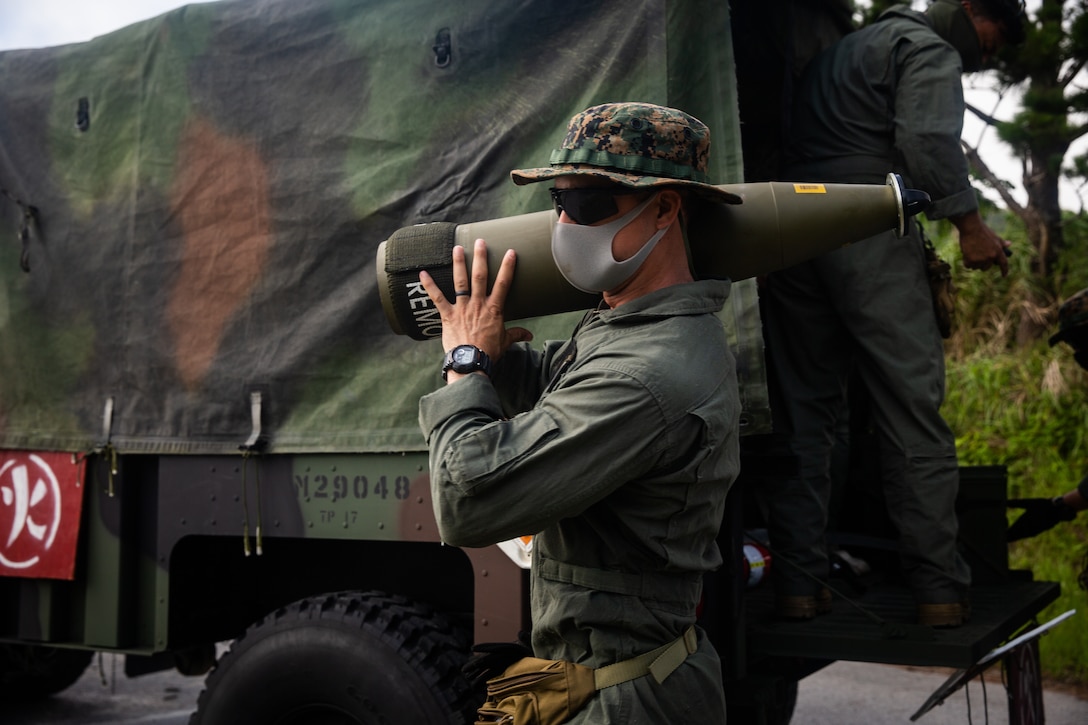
[{"x": 342, "y": 659}]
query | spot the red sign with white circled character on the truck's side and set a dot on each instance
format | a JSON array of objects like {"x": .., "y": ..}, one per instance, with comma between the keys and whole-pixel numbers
[{"x": 41, "y": 505}]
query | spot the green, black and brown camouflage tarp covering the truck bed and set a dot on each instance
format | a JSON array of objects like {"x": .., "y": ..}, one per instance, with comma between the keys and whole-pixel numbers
[{"x": 204, "y": 195}]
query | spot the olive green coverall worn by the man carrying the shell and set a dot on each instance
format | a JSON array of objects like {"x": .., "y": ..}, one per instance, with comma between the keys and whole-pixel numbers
[{"x": 617, "y": 450}]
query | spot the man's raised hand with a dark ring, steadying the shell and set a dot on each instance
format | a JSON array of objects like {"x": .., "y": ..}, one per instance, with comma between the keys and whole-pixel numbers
[{"x": 475, "y": 317}]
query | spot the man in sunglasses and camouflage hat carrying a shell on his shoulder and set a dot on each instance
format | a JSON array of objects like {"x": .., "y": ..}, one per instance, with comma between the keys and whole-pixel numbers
[{"x": 616, "y": 448}]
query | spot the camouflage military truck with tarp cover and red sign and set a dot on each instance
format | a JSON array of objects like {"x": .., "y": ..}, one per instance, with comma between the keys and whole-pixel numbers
[{"x": 208, "y": 429}]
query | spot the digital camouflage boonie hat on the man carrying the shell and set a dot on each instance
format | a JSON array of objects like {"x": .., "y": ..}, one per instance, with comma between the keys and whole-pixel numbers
[{"x": 635, "y": 145}]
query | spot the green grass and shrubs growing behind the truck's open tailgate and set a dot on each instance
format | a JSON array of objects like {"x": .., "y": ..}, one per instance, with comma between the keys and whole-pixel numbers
[{"x": 1025, "y": 409}]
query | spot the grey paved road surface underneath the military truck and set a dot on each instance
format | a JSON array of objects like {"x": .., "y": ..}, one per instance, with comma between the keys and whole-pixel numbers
[{"x": 844, "y": 694}]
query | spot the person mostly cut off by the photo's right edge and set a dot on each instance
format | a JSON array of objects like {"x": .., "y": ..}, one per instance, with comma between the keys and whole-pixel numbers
[{"x": 1043, "y": 514}]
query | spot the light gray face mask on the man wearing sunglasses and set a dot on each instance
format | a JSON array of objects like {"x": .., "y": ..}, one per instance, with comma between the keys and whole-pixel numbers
[{"x": 584, "y": 254}]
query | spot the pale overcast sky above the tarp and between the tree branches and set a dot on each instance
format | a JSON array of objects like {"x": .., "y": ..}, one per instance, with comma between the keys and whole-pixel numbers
[{"x": 43, "y": 23}]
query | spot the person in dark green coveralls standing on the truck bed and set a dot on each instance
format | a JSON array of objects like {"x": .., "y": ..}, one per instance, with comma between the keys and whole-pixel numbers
[{"x": 887, "y": 99}]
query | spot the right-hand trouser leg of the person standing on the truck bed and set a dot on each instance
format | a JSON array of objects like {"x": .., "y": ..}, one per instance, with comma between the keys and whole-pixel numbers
[{"x": 887, "y": 305}]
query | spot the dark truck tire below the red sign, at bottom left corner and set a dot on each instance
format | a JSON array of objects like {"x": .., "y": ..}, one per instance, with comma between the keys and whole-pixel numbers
[{"x": 30, "y": 672}]
